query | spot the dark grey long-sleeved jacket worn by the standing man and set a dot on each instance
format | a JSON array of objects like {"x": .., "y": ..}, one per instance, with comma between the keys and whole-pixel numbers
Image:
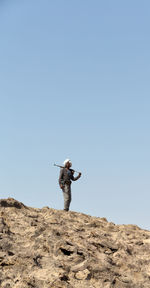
[{"x": 66, "y": 175}]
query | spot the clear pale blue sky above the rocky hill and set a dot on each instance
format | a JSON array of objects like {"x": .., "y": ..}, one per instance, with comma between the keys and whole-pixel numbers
[{"x": 75, "y": 82}]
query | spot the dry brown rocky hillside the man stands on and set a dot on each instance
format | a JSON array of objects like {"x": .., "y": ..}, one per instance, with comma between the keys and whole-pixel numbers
[{"x": 47, "y": 248}]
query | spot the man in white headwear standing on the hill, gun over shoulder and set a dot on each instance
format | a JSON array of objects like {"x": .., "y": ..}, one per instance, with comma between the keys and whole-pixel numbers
[{"x": 65, "y": 177}]
